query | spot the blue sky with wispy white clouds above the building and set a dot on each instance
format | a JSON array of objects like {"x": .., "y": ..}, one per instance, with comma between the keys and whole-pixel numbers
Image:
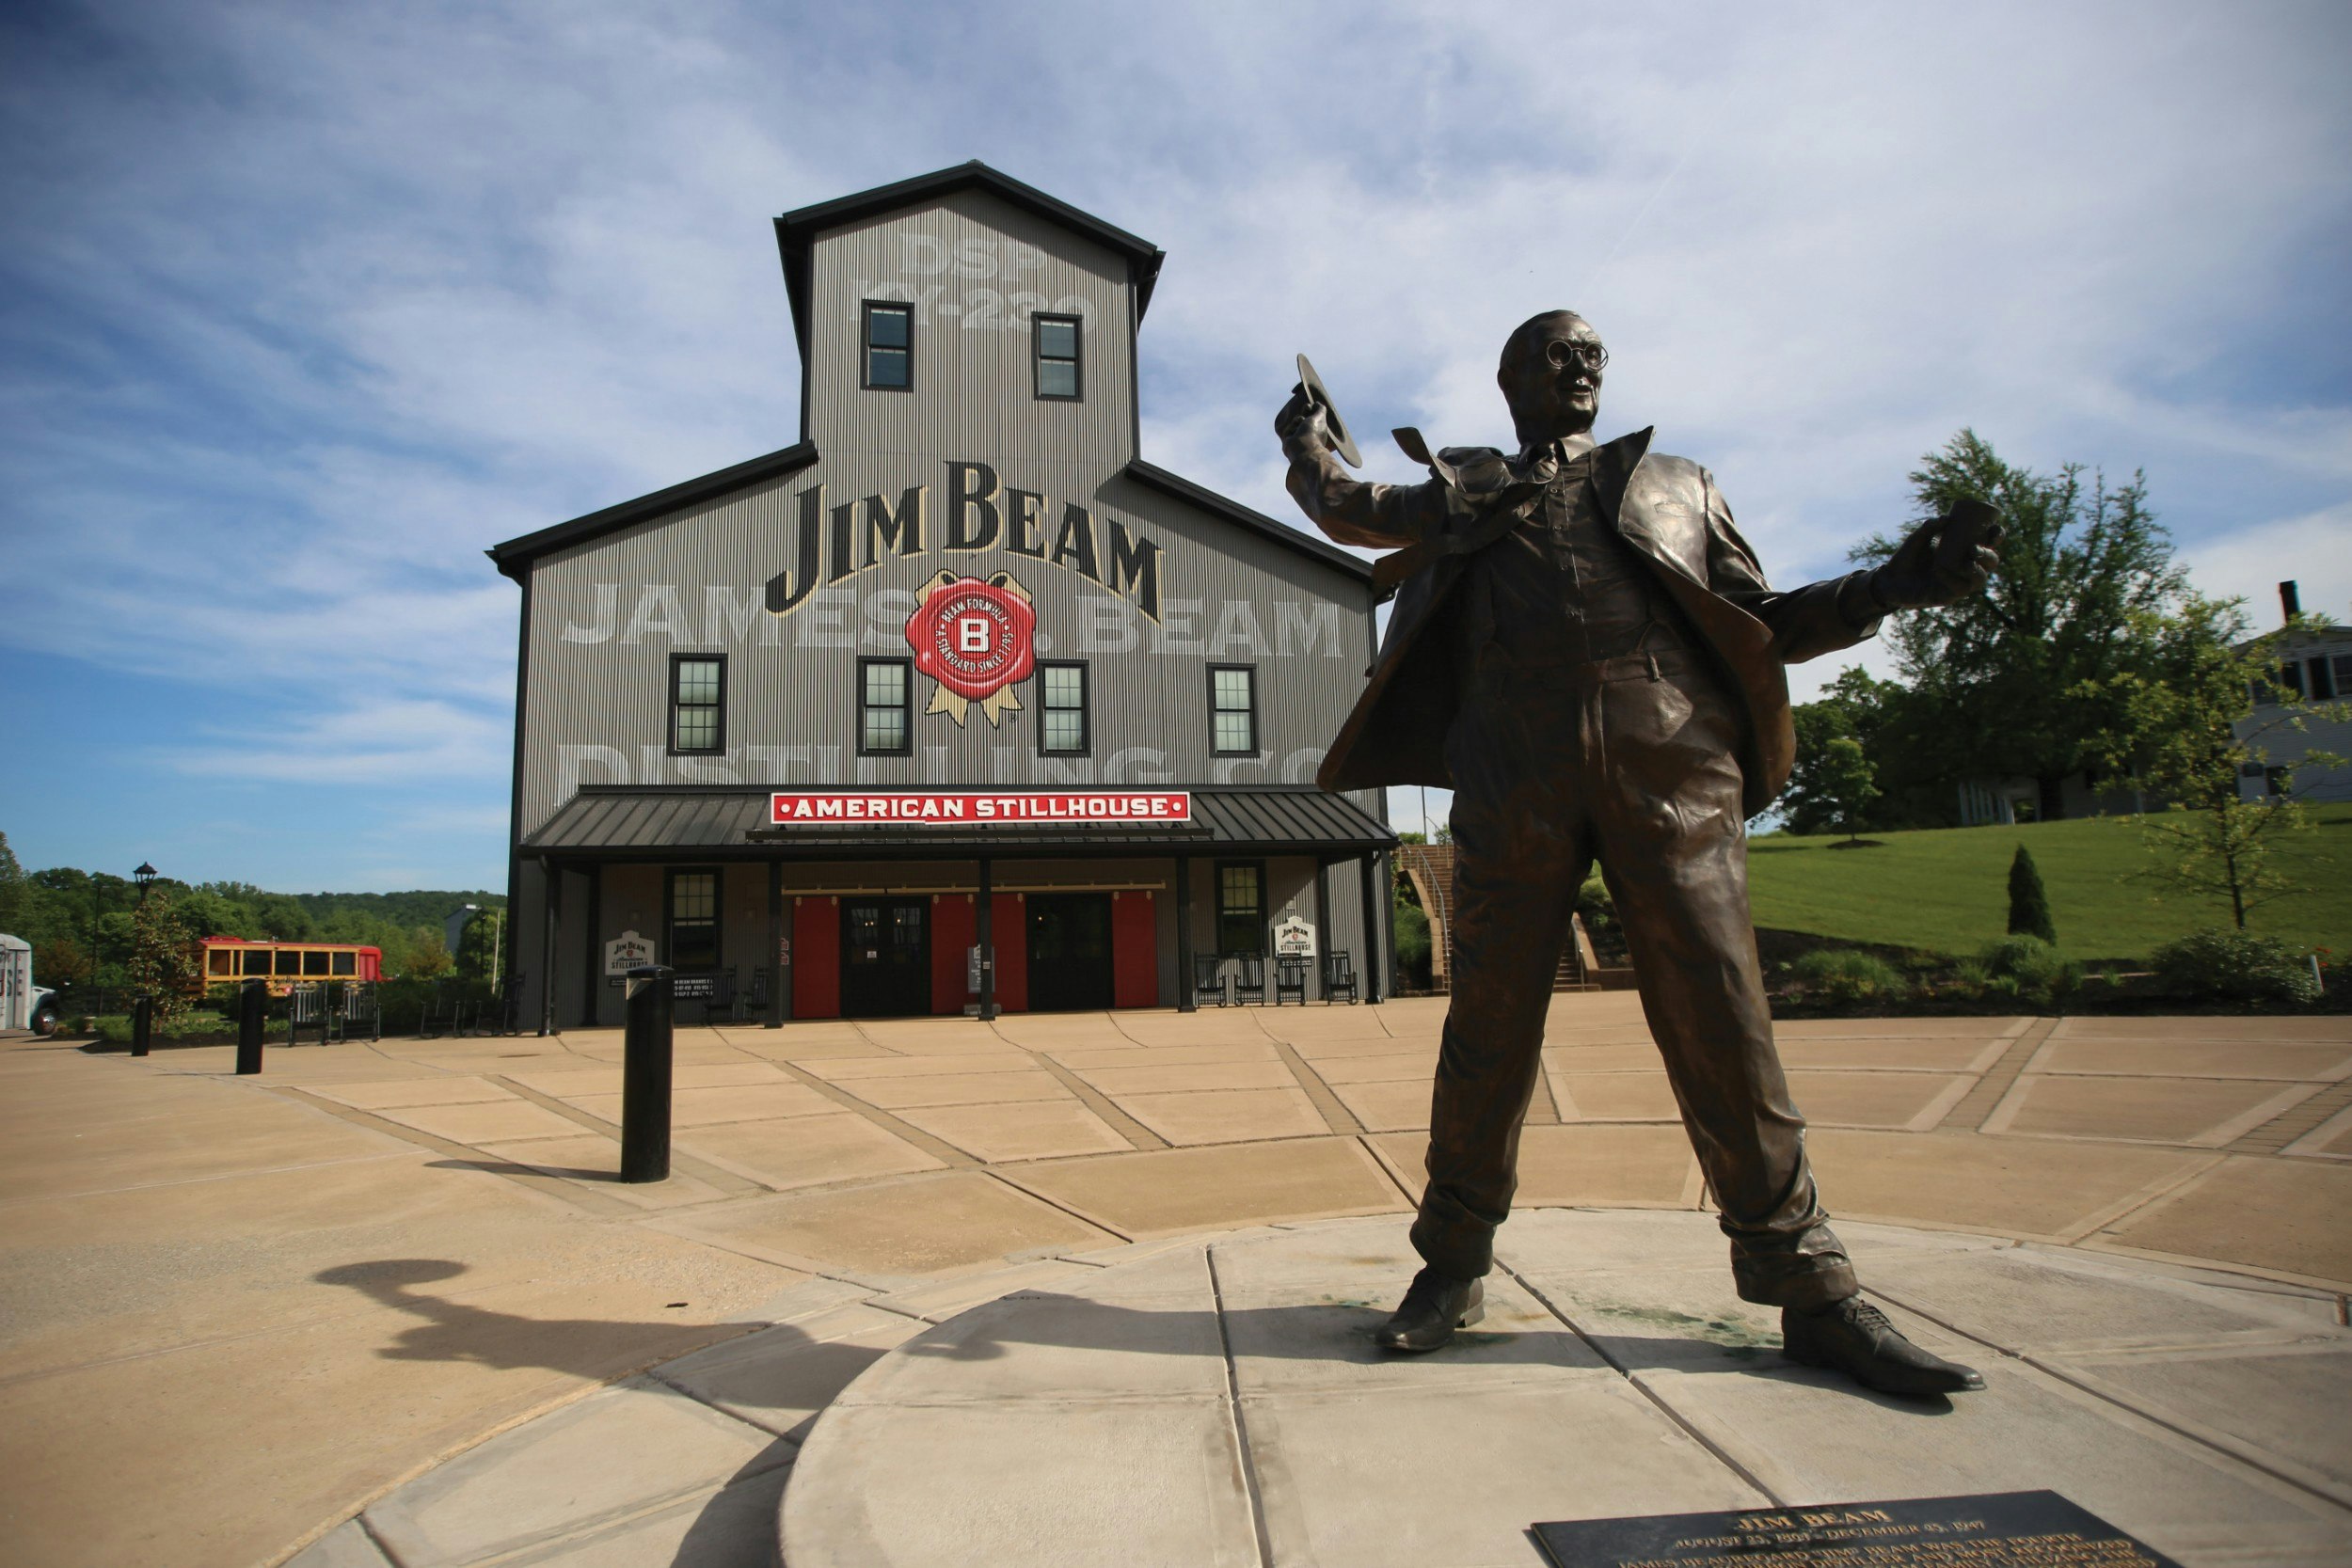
[{"x": 305, "y": 307}]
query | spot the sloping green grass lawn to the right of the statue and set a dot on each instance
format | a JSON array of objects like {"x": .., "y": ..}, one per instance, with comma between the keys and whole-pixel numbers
[{"x": 1949, "y": 887}]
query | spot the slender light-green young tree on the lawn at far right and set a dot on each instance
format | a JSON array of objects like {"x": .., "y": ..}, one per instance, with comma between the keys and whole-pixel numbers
[{"x": 2191, "y": 732}]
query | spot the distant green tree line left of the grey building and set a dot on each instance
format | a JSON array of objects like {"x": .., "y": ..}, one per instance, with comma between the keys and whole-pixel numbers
[{"x": 86, "y": 927}]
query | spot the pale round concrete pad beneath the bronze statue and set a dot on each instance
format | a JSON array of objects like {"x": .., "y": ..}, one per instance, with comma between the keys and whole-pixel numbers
[{"x": 1220, "y": 1402}]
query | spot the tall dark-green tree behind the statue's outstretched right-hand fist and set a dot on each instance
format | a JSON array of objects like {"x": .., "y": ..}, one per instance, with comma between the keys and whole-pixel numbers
[{"x": 2022, "y": 678}]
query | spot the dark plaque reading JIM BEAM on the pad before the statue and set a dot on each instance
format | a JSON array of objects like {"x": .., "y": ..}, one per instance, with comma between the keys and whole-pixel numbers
[{"x": 1982, "y": 1532}]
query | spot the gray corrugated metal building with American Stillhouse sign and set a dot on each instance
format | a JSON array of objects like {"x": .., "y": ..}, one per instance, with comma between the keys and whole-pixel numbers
[{"x": 961, "y": 584}]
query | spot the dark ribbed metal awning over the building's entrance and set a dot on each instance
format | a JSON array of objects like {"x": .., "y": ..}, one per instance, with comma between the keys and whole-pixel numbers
[{"x": 730, "y": 822}]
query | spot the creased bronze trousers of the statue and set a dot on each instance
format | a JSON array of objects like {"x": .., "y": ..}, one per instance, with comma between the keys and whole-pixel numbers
[{"x": 1633, "y": 763}]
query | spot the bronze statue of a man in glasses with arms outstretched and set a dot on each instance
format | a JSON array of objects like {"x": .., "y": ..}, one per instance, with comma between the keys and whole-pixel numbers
[{"x": 1586, "y": 652}]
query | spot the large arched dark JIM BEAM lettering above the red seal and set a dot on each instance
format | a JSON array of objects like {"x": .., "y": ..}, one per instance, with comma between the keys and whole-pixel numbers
[{"x": 841, "y": 542}]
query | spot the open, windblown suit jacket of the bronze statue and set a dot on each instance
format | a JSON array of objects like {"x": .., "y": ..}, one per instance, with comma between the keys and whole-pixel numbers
[{"x": 1676, "y": 521}]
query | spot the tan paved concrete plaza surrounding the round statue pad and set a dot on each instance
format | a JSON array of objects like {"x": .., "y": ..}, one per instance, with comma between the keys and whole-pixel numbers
[{"x": 394, "y": 1278}]
